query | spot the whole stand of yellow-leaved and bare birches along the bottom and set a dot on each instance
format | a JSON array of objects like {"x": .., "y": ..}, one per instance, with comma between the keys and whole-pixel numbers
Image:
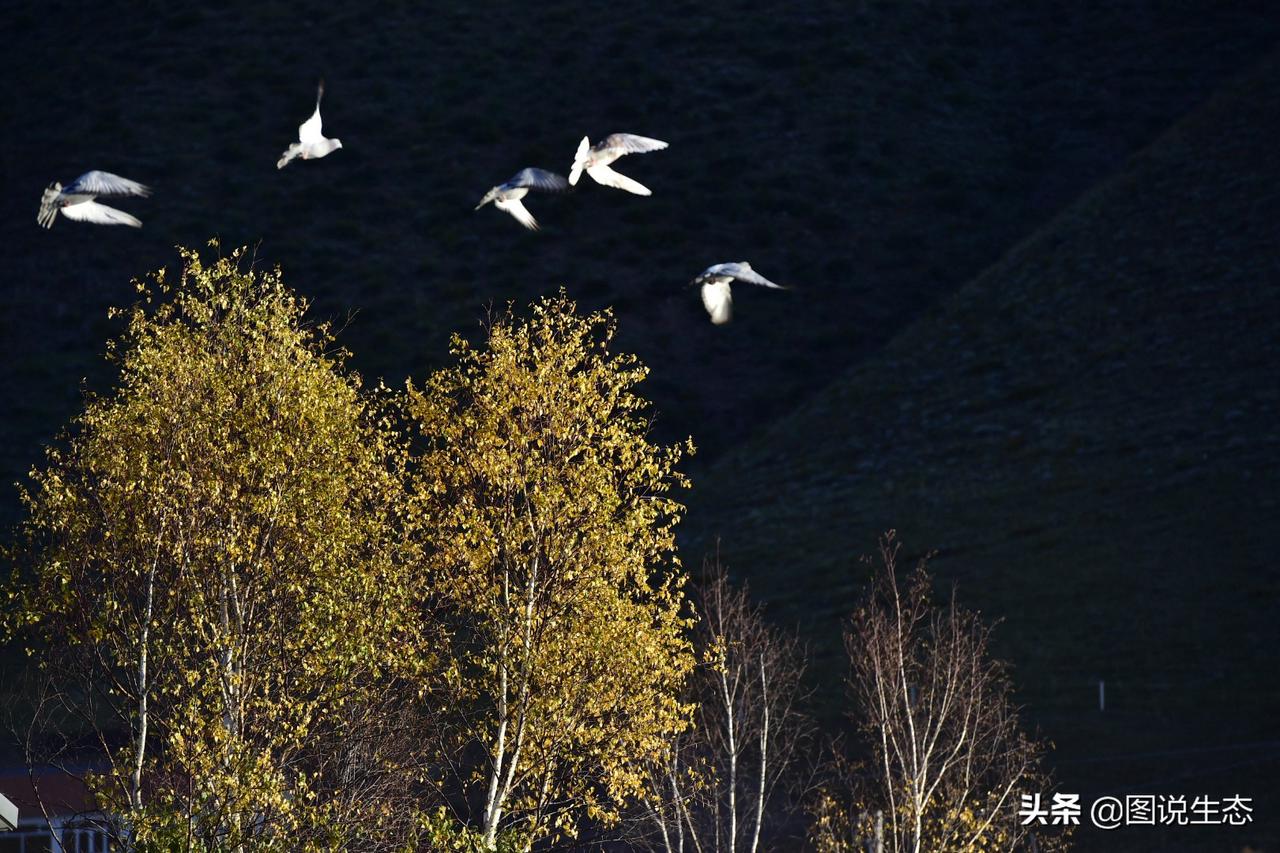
[{"x": 277, "y": 610}]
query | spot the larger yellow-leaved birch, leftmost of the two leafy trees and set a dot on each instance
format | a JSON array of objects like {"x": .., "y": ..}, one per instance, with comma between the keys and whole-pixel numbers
[{"x": 216, "y": 580}]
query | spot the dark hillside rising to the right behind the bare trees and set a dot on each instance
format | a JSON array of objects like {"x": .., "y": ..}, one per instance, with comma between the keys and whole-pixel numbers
[{"x": 1090, "y": 436}]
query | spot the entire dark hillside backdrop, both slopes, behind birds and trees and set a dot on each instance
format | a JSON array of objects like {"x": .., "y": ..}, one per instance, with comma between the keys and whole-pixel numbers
[{"x": 1035, "y": 321}]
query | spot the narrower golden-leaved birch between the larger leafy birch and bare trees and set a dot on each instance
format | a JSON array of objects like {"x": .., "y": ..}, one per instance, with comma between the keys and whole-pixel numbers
[{"x": 550, "y": 530}]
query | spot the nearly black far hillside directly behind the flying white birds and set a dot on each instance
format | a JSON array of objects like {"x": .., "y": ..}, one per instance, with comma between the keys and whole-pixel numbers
[{"x": 877, "y": 156}]
